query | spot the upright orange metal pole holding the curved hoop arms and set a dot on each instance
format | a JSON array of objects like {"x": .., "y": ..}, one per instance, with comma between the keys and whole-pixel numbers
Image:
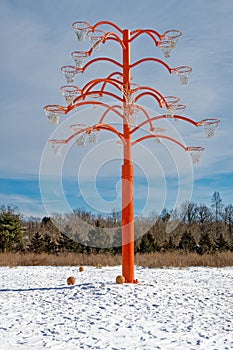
[{"x": 127, "y": 179}]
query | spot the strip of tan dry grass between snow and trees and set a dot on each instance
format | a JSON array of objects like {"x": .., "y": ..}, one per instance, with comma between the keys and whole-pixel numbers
[{"x": 157, "y": 260}]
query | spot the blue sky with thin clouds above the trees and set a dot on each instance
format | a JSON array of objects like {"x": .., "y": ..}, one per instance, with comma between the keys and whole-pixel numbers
[{"x": 36, "y": 41}]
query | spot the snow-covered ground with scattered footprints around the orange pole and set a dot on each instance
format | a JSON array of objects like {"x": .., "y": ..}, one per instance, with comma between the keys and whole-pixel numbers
[{"x": 169, "y": 309}]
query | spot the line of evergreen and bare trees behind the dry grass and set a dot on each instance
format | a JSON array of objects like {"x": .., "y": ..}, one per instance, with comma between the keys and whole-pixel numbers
[{"x": 196, "y": 228}]
